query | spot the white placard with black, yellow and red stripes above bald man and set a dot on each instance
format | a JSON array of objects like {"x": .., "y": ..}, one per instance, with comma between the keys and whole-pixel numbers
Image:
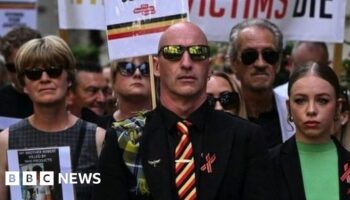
[{"x": 134, "y": 27}]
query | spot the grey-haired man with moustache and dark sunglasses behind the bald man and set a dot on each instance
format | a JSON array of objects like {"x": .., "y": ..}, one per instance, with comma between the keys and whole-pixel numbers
[{"x": 255, "y": 54}]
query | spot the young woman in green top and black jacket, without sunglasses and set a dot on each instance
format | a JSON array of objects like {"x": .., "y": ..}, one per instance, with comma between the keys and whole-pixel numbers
[{"x": 312, "y": 164}]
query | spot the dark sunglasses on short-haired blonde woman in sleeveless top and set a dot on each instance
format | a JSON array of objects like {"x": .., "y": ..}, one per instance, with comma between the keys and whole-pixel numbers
[{"x": 36, "y": 73}]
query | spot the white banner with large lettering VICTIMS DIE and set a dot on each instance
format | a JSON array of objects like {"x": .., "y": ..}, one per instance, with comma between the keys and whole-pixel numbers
[{"x": 311, "y": 20}]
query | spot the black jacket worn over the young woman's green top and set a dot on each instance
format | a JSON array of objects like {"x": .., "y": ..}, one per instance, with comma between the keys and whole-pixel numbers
[{"x": 288, "y": 176}]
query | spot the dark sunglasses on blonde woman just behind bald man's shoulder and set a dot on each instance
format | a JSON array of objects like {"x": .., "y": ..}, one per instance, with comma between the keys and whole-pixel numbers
[{"x": 228, "y": 100}]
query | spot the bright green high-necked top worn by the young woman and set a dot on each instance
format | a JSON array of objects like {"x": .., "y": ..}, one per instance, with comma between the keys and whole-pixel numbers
[{"x": 319, "y": 167}]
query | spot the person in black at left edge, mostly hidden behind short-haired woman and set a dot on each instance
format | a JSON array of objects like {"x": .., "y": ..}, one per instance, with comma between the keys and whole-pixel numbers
[{"x": 13, "y": 102}]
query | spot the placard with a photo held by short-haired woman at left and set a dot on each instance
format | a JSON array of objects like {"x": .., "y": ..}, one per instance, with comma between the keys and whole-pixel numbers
[{"x": 37, "y": 173}]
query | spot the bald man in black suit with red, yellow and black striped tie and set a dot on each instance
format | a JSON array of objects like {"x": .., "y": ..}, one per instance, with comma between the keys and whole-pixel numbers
[{"x": 187, "y": 150}]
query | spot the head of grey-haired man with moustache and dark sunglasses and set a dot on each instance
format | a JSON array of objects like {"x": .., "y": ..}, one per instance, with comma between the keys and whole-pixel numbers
[{"x": 255, "y": 53}]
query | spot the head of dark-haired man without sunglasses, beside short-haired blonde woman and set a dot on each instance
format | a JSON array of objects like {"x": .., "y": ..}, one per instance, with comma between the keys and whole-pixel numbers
[{"x": 89, "y": 89}]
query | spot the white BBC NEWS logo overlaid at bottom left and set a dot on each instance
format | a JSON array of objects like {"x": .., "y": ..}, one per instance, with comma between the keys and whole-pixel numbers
[{"x": 47, "y": 178}]
